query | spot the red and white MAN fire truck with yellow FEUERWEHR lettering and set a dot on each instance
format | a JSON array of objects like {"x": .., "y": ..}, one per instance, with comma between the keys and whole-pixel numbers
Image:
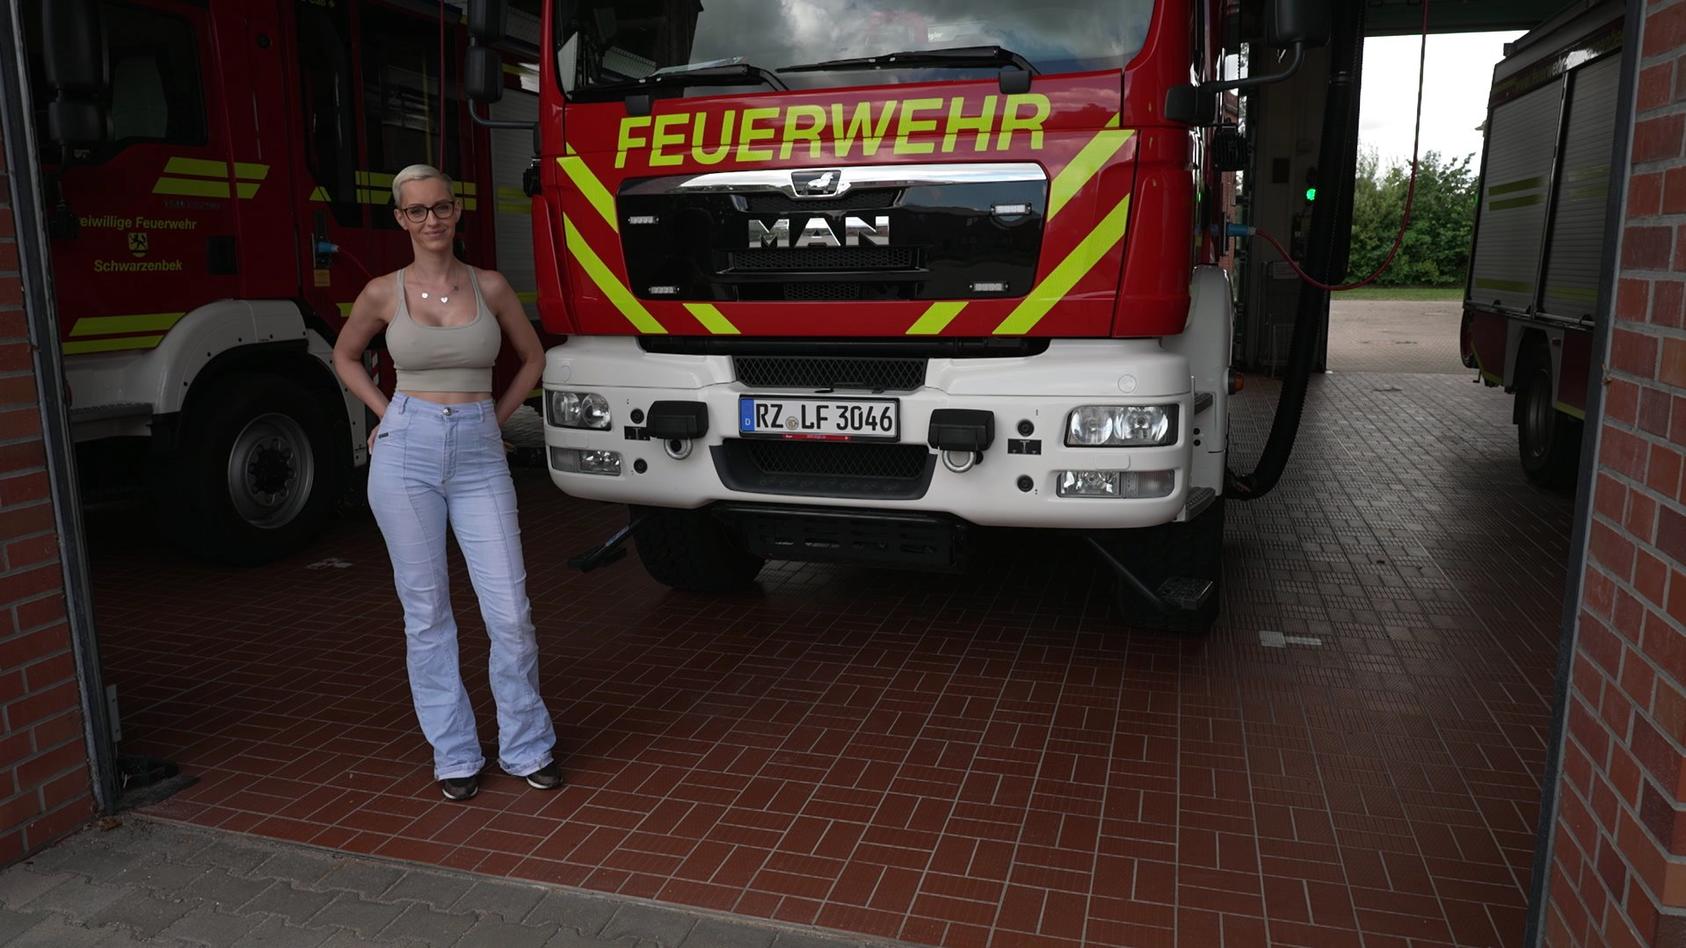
[{"x": 842, "y": 283}]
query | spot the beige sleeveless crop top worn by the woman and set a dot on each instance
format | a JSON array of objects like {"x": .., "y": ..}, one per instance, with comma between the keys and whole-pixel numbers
[{"x": 444, "y": 358}]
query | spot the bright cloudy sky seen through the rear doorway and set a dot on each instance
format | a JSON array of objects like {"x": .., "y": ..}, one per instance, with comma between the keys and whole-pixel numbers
[{"x": 1454, "y": 94}]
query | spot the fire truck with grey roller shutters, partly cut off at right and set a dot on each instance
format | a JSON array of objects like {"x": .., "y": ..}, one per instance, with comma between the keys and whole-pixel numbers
[{"x": 1540, "y": 230}]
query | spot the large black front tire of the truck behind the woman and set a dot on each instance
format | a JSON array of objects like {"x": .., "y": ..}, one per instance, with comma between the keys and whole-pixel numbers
[{"x": 257, "y": 473}]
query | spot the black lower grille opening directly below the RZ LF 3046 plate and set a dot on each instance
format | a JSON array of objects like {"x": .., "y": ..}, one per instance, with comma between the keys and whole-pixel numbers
[{"x": 819, "y": 470}]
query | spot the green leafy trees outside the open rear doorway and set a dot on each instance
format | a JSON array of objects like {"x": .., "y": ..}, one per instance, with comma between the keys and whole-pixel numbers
[{"x": 1437, "y": 247}]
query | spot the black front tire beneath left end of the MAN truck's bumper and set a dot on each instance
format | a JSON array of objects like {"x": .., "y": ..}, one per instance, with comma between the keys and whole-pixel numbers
[{"x": 692, "y": 551}]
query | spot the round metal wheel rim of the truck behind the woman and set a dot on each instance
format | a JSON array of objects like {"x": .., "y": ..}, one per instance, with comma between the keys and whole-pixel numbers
[{"x": 271, "y": 471}]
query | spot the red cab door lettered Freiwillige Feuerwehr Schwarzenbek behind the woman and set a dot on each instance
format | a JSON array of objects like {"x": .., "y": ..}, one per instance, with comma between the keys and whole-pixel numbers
[{"x": 158, "y": 203}]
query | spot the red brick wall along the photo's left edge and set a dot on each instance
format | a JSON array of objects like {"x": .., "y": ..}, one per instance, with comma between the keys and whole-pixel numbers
[{"x": 45, "y": 780}]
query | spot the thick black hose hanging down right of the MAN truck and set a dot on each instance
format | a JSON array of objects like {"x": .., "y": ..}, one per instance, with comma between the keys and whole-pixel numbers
[{"x": 1338, "y": 164}]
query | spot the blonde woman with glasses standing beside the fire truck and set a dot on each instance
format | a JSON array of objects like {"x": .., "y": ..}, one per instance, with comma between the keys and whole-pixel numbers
[{"x": 438, "y": 456}]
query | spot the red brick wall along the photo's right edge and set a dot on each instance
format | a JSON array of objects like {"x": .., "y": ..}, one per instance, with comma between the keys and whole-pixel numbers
[{"x": 1619, "y": 839}]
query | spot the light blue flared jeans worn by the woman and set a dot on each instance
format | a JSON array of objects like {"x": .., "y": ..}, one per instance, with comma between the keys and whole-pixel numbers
[{"x": 446, "y": 463}]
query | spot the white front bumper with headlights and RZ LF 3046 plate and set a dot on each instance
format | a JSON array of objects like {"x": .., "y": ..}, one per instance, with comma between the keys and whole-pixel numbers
[{"x": 1083, "y": 436}]
